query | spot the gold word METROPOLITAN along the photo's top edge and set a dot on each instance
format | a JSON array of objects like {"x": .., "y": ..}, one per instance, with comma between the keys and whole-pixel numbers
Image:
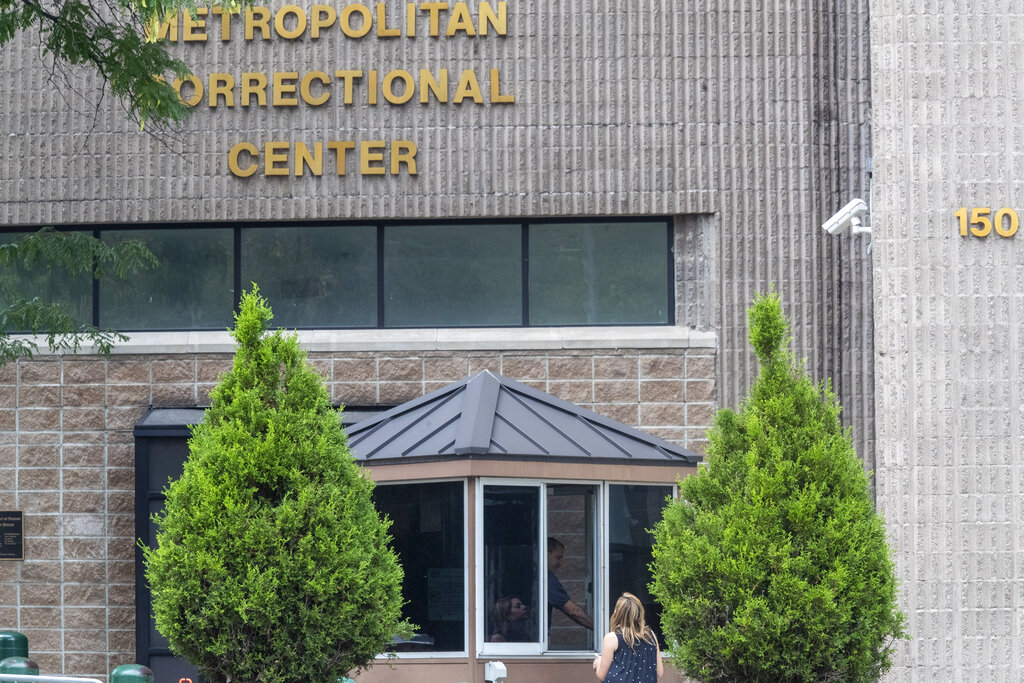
[{"x": 354, "y": 21}]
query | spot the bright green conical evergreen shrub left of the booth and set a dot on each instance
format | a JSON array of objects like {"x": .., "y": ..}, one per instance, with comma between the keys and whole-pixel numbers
[{"x": 272, "y": 563}]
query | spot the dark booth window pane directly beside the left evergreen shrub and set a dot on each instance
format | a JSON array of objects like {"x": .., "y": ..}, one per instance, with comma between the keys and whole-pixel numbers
[{"x": 429, "y": 535}]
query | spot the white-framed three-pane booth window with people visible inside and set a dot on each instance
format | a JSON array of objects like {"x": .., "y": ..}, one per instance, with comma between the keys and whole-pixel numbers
[{"x": 542, "y": 545}]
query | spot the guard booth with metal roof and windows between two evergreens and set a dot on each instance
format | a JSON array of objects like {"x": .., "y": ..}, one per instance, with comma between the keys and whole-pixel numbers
[{"x": 499, "y": 492}]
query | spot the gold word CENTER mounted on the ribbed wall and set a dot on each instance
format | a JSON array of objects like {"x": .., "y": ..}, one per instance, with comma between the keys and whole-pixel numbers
[{"x": 284, "y": 158}]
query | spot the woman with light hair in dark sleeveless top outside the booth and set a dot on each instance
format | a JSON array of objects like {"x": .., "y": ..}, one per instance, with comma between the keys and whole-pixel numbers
[{"x": 629, "y": 652}]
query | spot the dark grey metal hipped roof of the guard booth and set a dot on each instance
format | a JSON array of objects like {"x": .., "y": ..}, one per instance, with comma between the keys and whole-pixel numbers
[{"x": 489, "y": 416}]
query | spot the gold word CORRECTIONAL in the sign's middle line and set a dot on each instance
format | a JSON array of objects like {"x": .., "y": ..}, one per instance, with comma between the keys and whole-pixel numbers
[{"x": 315, "y": 89}]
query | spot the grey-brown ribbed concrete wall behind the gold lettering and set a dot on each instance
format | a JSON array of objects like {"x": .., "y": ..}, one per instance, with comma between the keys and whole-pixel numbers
[{"x": 752, "y": 115}]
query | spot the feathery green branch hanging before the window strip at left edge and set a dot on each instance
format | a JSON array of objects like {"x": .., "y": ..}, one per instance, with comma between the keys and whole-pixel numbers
[{"x": 46, "y": 254}]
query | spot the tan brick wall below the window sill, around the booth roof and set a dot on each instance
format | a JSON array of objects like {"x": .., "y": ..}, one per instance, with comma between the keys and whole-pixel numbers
[{"x": 67, "y": 460}]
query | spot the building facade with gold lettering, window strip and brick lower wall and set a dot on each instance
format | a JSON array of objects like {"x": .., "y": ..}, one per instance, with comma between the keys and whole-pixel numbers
[{"x": 514, "y": 143}]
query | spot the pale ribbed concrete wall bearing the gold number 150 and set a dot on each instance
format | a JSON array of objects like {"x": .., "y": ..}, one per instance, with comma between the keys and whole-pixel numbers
[{"x": 950, "y": 320}]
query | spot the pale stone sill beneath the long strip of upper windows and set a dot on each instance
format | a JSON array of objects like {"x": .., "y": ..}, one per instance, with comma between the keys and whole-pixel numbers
[{"x": 442, "y": 339}]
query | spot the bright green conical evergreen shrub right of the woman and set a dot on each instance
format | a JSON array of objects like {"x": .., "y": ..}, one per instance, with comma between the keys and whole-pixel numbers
[{"x": 774, "y": 566}]
